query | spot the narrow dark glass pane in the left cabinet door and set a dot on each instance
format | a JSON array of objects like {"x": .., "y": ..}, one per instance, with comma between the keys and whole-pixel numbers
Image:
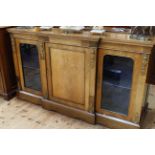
[{"x": 30, "y": 64}]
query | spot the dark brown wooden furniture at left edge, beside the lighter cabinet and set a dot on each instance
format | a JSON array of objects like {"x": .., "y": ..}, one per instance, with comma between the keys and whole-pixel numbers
[{"x": 7, "y": 73}]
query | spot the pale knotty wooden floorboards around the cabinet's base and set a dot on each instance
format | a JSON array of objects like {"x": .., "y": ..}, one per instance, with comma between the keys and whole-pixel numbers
[{"x": 19, "y": 114}]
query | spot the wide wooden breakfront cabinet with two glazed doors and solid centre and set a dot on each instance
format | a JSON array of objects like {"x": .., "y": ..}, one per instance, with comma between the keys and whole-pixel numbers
[{"x": 93, "y": 78}]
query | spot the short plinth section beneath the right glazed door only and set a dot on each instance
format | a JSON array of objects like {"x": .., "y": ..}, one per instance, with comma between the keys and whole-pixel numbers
[{"x": 115, "y": 123}]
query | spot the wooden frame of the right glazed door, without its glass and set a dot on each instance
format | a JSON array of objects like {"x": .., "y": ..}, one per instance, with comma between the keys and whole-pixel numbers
[{"x": 136, "y": 73}]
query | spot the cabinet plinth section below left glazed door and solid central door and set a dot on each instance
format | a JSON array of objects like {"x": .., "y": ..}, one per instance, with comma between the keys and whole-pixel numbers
[{"x": 58, "y": 107}]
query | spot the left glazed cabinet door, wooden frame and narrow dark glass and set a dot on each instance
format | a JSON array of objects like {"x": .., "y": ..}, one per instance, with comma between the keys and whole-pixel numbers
[{"x": 31, "y": 64}]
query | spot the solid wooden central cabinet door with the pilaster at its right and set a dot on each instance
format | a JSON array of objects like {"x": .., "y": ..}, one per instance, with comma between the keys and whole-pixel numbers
[{"x": 69, "y": 74}]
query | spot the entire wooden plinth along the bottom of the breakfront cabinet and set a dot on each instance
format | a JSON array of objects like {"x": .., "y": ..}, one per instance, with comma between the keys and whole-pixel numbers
[{"x": 105, "y": 120}]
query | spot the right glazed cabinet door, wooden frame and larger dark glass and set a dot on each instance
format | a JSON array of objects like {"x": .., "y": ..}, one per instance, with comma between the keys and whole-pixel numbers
[{"x": 117, "y": 83}]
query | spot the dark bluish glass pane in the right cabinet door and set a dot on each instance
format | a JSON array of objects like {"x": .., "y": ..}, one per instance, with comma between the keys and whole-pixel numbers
[{"x": 117, "y": 81}]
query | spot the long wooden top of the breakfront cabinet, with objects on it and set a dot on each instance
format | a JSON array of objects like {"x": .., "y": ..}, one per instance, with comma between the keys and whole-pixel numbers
[{"x": 112, "y": 37}]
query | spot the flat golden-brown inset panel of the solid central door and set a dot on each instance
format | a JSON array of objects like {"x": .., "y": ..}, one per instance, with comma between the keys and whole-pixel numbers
[{"x": 68, "y": 75}]
